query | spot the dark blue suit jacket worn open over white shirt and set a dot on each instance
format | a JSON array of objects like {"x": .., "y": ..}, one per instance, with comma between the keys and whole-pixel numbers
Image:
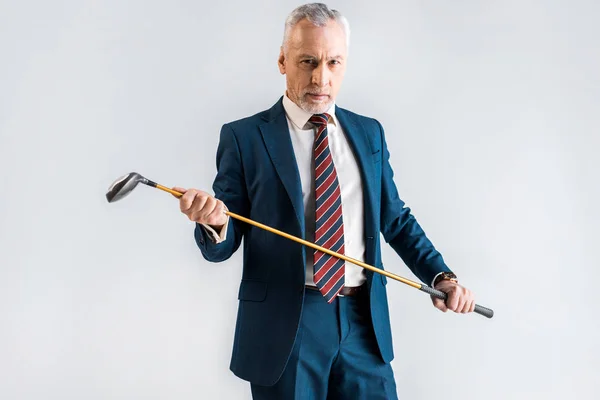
[{"x": 258, "y": 178}]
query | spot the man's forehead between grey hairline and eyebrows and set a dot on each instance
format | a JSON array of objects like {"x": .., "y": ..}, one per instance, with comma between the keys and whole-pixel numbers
[{"x": 306, "y": 37}]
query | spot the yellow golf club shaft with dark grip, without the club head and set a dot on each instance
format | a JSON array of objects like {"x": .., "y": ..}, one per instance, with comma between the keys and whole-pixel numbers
[{"x": 486, "y": 312}]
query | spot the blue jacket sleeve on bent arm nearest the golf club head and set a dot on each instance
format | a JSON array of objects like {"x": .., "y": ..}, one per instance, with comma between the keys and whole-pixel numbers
[{"x": 229, "y": 187}]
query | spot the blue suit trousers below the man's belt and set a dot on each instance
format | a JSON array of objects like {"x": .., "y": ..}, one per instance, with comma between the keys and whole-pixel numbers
[{"x": 335, "y": 356}]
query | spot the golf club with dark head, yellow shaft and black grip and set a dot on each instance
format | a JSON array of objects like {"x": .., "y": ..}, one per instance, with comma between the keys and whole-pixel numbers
[{"x": 125, "y": 185}]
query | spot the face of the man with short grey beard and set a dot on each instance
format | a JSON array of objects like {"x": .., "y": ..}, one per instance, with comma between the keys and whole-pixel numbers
[{"x": 314, "y": 62}]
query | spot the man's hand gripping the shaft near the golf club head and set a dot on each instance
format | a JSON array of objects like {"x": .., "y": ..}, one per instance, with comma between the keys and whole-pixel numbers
[{"x": 202, "y": 208}]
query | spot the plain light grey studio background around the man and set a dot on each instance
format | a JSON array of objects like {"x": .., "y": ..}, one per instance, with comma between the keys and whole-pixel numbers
[{"x": 491, "y": 114}]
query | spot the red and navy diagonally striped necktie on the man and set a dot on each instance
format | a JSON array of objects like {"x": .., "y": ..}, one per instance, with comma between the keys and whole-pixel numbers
[{"x": 329, "y": 228}]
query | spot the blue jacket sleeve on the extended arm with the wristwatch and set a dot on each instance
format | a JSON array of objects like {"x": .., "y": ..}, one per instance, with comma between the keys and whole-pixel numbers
[{"x": 402, "y": 231}]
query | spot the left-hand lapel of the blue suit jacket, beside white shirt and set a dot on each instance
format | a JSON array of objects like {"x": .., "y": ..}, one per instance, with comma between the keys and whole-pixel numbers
[{"x": 275, "y": 133}]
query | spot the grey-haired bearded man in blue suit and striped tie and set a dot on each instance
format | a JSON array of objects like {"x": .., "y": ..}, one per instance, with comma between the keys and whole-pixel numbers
[{"x": 310, "y": 325}]
